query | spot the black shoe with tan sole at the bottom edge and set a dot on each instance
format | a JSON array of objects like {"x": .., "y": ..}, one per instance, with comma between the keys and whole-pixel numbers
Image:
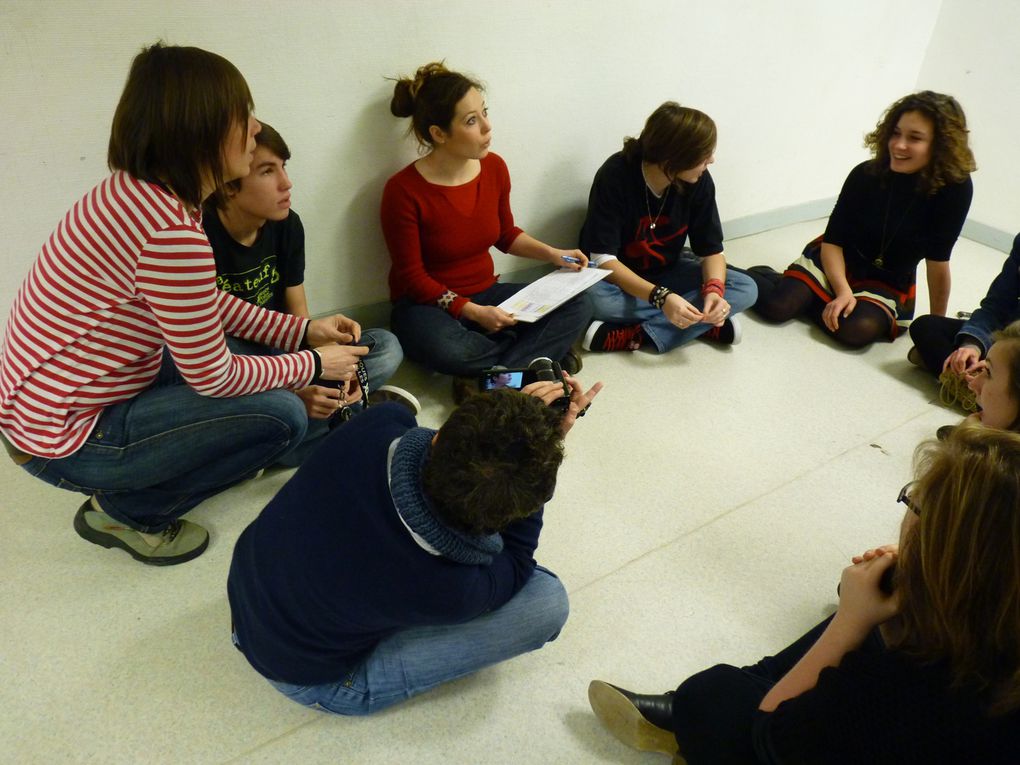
[{"x": 642, "y": 722}]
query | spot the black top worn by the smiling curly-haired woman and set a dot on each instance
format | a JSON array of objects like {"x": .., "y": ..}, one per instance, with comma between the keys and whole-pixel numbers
[{"x": 883, "y": 223}]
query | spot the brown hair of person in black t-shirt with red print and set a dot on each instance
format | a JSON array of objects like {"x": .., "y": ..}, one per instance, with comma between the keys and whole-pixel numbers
[{"x": 677, "y": 138}]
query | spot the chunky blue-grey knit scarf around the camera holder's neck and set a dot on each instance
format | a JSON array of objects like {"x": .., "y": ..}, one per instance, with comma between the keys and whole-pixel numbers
[{"x": 410, "y": 458}]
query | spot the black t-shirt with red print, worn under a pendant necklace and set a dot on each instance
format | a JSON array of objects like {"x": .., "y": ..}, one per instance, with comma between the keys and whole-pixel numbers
[{"x": 622, "y": 211}]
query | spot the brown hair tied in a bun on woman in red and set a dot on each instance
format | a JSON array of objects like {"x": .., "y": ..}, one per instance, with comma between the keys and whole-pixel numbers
[{"x": 431, "y": 97}]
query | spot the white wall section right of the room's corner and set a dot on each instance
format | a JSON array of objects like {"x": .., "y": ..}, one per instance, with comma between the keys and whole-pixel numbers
[{"x": 974, "y": 57}]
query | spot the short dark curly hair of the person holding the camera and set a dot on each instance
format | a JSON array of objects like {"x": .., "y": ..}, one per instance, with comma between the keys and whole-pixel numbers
[{"x": 494, "y": 462}]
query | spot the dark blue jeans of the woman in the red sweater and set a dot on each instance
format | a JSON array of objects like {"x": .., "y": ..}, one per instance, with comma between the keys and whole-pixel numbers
[{"x": 435, "y": 339}]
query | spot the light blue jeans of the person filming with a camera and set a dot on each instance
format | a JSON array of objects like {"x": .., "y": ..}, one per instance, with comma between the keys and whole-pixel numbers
[{"x": 419, "y": 659}]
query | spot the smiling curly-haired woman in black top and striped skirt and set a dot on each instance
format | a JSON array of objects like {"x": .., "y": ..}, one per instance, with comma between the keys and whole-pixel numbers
[{"x": 908, "y": 205}]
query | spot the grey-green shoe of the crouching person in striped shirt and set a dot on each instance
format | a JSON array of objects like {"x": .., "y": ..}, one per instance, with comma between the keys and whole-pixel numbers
[{"x": 179, "y": 543}]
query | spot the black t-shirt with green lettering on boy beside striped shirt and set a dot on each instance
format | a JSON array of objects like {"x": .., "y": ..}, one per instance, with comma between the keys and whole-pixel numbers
[{"x": 260, "y": 274}]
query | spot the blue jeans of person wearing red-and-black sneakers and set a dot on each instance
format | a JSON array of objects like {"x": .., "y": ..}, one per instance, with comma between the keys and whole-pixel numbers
[{"x": 610, "y": 303}]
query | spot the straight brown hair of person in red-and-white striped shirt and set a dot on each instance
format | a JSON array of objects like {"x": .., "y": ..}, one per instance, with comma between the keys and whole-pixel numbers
[{"x": 178, "y": 110}]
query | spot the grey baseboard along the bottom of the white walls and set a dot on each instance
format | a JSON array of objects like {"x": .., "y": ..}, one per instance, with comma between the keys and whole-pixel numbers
[{"x": 378, "y": 315}]
